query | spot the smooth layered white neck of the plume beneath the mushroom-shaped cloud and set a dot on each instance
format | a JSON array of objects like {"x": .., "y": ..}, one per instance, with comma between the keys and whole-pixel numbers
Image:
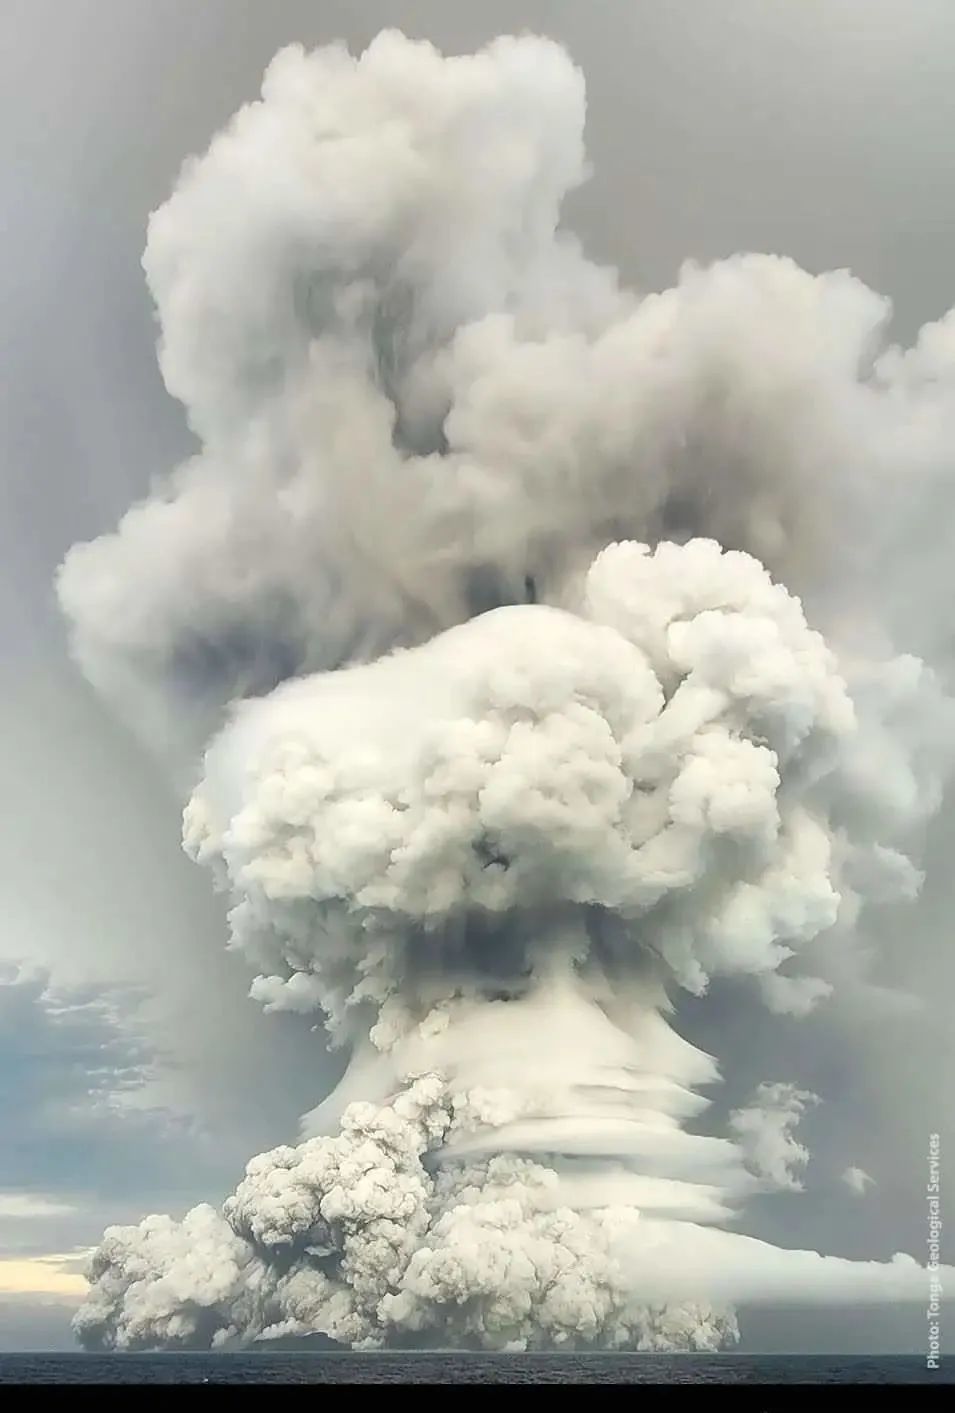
[{"x": 573, "y": 1073}]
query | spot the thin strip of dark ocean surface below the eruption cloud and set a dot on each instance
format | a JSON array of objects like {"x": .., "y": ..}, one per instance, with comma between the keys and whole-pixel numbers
[{"x": 465, "y": 1368}]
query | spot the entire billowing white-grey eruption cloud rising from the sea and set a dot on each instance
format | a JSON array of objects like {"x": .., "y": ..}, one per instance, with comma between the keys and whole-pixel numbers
[{"x": 477, "y": 587}]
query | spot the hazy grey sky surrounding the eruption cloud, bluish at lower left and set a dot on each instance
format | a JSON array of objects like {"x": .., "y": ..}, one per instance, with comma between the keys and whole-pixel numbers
[{"x": 135, "y": 1075}]
